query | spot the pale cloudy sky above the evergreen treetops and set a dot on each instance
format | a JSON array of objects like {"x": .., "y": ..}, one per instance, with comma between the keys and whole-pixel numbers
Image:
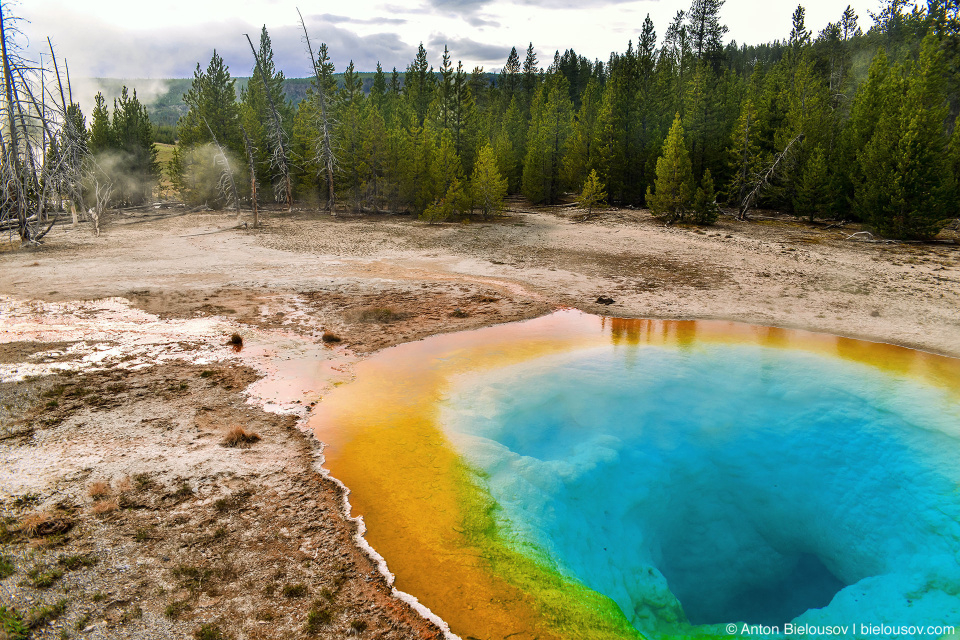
[{"x": 137, "y": 39}]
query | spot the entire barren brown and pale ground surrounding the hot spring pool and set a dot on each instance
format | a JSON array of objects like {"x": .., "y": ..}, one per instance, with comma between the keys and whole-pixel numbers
[{"x": 126, "y": 516}]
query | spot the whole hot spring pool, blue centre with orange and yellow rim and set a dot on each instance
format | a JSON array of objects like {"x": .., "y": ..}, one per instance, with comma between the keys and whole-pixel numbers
[{"x": 581, "y": 477}]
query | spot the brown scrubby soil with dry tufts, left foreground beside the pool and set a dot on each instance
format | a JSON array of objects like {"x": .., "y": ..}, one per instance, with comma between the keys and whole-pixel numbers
[{"x": 250, "y": 538}]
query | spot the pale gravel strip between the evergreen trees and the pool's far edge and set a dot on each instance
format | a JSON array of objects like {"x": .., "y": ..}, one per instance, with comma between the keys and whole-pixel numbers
[{"x": 783, "y": 274}]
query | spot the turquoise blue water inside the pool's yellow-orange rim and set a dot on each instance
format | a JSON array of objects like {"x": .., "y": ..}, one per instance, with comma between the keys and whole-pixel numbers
[{"x": 719, "y": 484}]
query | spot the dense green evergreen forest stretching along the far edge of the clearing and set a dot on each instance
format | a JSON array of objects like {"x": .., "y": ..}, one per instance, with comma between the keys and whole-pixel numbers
[{"x": 844, "y": 124}]
